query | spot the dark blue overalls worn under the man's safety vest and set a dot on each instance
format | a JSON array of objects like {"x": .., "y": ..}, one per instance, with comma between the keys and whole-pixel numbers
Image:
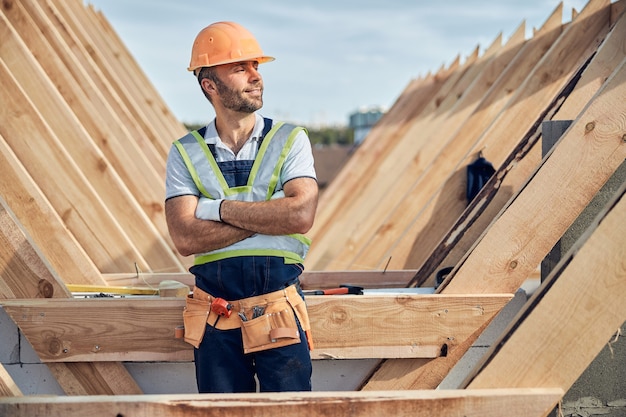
[{"x": 221, "y": 365}]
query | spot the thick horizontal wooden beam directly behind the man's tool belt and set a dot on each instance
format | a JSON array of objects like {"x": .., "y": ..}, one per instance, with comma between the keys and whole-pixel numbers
[{"x": 139, "y": 329}]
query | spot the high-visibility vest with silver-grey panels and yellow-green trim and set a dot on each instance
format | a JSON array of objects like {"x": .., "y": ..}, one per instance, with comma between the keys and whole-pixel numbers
[{"x": 262, "y": 182}]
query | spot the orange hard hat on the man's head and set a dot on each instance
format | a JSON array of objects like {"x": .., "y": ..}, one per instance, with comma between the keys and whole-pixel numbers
[{"x": 224, "y": 43}]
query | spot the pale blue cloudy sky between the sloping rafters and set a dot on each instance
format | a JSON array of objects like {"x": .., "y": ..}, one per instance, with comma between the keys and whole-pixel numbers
[{"x": 333, "y": 57}]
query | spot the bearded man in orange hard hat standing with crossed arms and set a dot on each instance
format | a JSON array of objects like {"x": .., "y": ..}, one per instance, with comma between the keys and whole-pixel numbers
[{"x": 240, "y": 193}]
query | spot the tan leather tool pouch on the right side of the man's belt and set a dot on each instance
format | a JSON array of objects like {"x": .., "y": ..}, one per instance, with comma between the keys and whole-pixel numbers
[{"x": 276, "y": 328}]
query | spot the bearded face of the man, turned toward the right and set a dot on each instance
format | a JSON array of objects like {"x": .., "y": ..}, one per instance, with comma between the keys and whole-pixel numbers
[{"x": 240, "y": 86}]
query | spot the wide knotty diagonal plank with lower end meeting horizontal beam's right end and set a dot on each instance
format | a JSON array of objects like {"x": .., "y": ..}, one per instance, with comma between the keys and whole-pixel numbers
[{"x": 583, "y": 160}]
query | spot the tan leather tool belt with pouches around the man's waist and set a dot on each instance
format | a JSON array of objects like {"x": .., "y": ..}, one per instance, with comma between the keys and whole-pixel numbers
[{"x": 275, "y": 327}]
